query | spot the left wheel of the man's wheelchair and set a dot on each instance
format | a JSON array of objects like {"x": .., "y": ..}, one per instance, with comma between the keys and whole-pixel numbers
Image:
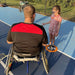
[{"x": 8, "y": 62}]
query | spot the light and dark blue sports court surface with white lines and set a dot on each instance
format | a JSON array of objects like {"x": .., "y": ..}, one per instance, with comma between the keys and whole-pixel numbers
[{"x": 61, "y": 62}]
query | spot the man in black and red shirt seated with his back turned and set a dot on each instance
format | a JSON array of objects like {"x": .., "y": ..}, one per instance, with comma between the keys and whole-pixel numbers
[{"x": 28, "y": 38}]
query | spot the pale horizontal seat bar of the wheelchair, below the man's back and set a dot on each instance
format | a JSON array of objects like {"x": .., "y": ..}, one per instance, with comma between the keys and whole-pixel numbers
[{"x": 22, "y": 57}]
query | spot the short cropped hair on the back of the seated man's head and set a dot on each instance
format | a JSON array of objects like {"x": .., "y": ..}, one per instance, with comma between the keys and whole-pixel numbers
[{"x": 29, "y": 11}]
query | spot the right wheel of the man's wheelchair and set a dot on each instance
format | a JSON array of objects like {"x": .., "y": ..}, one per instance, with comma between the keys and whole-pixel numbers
[{"x": 45, "y": 61}]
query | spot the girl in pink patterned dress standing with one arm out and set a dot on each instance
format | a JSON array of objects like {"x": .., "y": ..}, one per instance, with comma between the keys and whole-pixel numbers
[{"x": 55, "y": 23}]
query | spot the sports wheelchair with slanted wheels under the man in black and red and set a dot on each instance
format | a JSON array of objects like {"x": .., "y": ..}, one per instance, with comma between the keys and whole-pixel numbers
[{"x": 26, "y": 58}]
